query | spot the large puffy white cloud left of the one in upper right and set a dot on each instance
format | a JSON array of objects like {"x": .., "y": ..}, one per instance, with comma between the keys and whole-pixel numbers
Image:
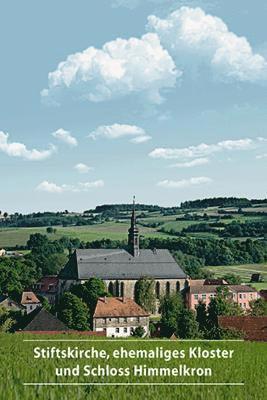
[{"x": 120, "y": 68}]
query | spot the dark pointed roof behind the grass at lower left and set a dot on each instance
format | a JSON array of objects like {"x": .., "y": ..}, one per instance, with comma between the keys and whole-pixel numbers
[{"x": 41, "y": 321}]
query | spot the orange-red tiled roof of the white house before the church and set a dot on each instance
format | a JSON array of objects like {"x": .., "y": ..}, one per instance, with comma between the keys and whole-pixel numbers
[{"x": 118, "y": 307}]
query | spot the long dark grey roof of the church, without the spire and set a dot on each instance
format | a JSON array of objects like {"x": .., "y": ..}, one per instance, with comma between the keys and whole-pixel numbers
[{"x": 120, "y": 264}]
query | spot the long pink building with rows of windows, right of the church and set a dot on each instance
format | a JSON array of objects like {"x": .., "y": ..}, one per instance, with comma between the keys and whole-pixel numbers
[{"x": 240, "y": 294}]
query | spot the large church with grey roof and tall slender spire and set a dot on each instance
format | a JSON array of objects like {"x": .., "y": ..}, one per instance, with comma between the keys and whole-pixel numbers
[{"x": 120, "y": 269}]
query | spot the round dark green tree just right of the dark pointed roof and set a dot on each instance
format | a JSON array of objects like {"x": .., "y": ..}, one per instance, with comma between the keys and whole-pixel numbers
[{"x": 73, "y": 312}]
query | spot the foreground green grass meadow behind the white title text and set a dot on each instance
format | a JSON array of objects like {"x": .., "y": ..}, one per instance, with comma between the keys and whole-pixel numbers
[{"x": 18, "y": 366}]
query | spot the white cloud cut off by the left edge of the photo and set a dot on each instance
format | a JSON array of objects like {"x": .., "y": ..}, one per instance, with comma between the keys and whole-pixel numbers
[{"x": 16, "y": 149}]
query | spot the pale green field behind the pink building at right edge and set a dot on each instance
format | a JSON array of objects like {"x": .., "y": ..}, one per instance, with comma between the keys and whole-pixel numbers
[{"x": 244, "y": 270}]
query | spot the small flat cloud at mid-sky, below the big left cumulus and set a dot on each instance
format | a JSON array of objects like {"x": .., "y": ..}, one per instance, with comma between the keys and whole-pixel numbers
[{"x": 117, "y": 131}]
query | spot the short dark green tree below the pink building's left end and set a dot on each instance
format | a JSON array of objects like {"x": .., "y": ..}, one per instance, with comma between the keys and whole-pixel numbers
[{"x": 187, "y": 326}]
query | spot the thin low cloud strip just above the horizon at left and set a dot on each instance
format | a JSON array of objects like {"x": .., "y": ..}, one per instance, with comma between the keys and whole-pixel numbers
[{"x": 51, "y": 187}]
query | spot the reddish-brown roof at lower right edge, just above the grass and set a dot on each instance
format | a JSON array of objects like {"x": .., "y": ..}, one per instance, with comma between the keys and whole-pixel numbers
[{"x": 255, "y": 328}]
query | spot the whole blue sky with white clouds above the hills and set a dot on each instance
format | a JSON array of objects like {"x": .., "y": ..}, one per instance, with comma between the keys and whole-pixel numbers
[{"x": 161, "y": 99}]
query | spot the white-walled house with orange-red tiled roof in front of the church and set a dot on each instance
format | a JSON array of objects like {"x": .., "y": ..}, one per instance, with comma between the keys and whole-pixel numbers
[{"x": 119, "y": 316}]
